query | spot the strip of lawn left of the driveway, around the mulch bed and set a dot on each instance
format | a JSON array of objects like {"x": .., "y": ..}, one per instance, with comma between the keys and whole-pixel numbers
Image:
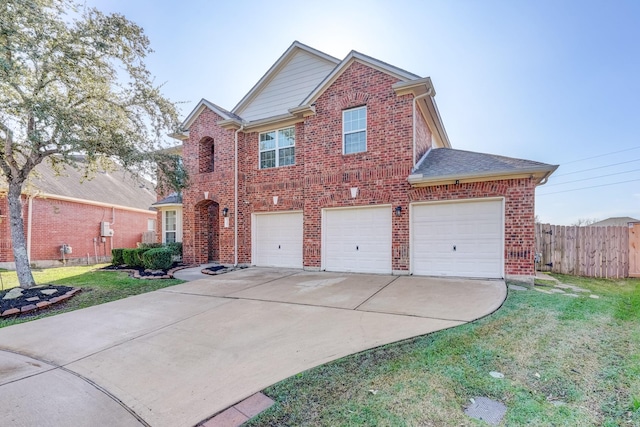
[{"x": 98, "y": 286}]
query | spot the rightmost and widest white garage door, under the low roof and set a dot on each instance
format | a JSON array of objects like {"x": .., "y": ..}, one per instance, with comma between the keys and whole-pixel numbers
[{"x": 462, "y": 239}]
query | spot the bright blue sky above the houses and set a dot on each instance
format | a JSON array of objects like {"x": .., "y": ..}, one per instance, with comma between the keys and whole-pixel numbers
[{"x": 555, "y": 81}]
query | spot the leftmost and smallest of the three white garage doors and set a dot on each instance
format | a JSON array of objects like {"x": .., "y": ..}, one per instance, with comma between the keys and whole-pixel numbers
[{"x": 277, "y": 240}]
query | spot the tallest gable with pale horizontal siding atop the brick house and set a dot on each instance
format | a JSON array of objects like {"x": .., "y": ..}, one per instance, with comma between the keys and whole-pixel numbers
[{"x": 299, "y": 59}]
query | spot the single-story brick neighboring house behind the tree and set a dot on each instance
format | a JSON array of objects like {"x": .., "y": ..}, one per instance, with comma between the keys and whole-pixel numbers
[{"x": 88, "y": 216}]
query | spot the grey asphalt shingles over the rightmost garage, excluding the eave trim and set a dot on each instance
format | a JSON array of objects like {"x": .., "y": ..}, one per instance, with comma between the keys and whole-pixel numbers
[{"x": 448, "y": 162}]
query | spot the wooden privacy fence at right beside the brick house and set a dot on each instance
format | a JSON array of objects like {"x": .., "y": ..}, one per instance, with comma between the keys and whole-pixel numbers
[{"x": 586, "y": 251}]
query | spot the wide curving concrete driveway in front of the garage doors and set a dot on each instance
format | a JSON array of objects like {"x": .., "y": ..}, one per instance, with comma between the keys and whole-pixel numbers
[{"x": 176, "y": 356}]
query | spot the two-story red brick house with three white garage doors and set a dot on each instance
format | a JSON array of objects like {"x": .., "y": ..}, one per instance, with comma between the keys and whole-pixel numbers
[{"x": 345, "y": 165}]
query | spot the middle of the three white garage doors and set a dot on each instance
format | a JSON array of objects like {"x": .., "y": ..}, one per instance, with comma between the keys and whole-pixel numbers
[{"x": 357, "y": 239}]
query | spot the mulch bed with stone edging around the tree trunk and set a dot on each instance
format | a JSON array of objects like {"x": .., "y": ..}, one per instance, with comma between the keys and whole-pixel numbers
[{"x": 18, "y": 301}]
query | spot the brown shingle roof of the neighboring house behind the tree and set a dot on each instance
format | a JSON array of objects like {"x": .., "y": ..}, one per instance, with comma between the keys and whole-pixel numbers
[{"x": 116, "y": 188}]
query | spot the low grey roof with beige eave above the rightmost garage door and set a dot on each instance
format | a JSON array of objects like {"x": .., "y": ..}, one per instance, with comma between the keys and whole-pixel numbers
[{"x": 449, "y": 166}]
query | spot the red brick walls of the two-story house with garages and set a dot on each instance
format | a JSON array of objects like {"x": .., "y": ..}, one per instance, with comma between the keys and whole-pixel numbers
[{"x": 322, "y": 176}]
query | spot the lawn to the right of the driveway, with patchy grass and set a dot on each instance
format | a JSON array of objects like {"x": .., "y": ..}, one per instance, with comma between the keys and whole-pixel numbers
[{"x": 567, "y": 362}]
